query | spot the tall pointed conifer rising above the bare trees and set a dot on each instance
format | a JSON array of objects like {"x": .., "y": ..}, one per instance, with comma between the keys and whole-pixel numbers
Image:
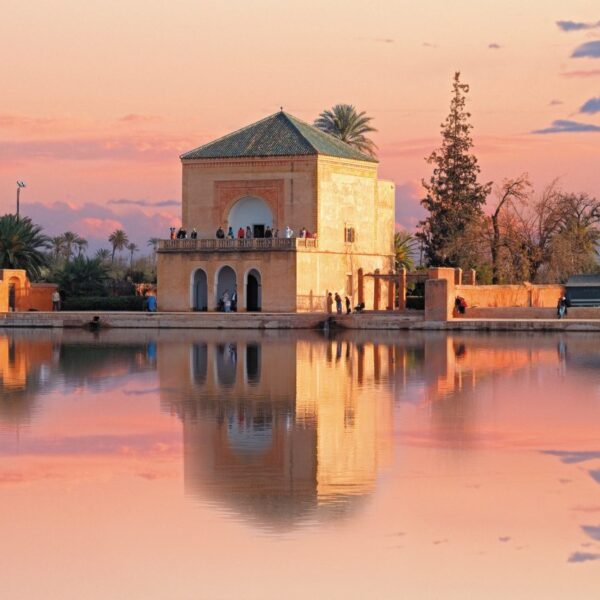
[{"x": 454, "y": 196}]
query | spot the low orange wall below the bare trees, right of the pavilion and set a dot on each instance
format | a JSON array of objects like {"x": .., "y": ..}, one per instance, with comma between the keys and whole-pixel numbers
[{"x": 507, "y": 296}]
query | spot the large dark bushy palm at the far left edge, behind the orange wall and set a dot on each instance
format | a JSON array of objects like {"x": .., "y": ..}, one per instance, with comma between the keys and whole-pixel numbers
[{"x": 22, "y": 244}]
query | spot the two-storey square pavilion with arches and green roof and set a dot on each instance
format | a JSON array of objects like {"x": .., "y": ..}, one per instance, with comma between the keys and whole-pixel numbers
[{"x": 279, "y": 172}]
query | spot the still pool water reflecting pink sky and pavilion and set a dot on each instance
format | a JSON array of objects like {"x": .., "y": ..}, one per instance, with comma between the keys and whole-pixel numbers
[{"x": 249, "y": 465}]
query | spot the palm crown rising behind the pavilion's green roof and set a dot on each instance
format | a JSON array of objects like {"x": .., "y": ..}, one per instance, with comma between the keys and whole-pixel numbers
[{"x": 350, "y": 126}]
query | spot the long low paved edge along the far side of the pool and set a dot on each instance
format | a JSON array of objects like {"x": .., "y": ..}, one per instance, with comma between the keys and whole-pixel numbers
[{"x": 381, "y": 320}]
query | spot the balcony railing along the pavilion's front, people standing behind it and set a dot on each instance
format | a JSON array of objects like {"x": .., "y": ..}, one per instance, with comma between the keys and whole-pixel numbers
[{"x": 248, "y": 245}]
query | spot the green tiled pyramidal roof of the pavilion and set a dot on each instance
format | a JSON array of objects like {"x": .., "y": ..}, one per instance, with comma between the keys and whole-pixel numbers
[{"x": 277, "y": 135}]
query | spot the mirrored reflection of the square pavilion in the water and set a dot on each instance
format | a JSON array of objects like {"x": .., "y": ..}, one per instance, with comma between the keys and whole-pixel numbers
[{"x": 280, "y": 430}]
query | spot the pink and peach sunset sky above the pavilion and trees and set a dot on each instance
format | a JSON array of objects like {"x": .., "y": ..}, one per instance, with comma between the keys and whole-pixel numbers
[{"x": 100, "y": 98}]
